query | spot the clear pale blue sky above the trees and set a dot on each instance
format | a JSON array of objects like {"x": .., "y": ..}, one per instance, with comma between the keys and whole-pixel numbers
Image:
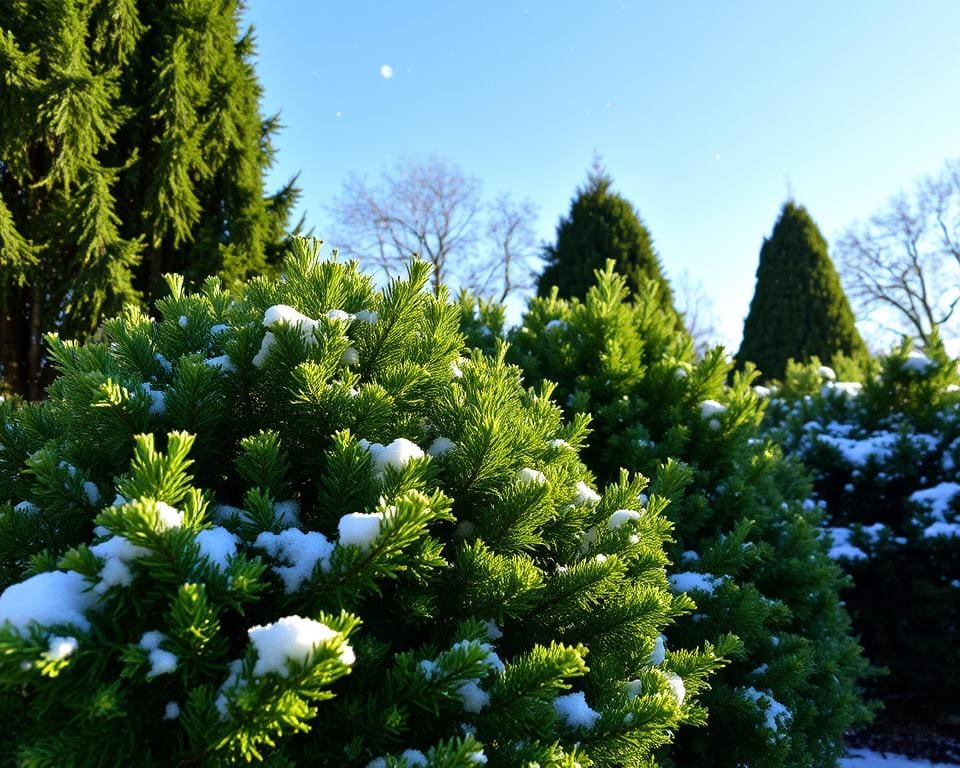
[{"x": 705, "y": 113}]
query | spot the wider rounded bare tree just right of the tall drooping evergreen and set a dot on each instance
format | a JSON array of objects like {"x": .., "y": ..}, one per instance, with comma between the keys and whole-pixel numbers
[{"x": 428, "y": 207}]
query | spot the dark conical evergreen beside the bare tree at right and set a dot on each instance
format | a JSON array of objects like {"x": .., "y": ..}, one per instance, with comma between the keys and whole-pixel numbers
[{"x": 799, "y": 308}]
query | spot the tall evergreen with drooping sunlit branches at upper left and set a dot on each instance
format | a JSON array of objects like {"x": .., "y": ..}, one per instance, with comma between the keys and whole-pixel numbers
[{"x": 131, "y": 145}]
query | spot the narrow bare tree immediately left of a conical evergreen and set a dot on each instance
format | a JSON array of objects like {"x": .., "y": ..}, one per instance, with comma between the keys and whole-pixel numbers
[{"x": 513, "y": 249}]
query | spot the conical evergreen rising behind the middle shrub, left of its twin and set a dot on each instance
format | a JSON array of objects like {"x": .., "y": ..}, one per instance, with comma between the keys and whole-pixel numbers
[{"x": 602, "y": 225}]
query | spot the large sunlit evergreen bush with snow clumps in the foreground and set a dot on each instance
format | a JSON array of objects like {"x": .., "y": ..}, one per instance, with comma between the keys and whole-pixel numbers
[{"x": 284, "y": 573}]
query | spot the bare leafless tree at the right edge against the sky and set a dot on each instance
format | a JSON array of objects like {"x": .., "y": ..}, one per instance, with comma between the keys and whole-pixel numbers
[{"x": 902, "y": 268}]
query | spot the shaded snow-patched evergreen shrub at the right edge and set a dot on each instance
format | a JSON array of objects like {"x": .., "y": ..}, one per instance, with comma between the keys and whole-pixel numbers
[{"x": 884, "y": 452}]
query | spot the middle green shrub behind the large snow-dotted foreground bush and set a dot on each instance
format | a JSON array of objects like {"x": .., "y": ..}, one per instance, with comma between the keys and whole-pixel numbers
[{"x": 745, "y": 545}]
